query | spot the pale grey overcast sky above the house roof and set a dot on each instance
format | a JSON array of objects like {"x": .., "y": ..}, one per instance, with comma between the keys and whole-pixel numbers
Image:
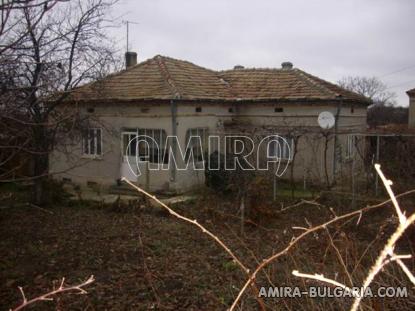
[{"x": 328, "y": 38}]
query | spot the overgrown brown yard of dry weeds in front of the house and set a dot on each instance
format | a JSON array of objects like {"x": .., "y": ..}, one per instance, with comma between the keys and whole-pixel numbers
[{"x": 142, "y": 258}]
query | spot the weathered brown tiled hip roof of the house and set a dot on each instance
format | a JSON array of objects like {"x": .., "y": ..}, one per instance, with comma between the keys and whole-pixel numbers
[{"x": 163, "y": 78}]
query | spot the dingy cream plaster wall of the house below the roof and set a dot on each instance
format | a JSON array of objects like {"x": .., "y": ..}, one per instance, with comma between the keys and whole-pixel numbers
[{"x": 116, "y": 117}]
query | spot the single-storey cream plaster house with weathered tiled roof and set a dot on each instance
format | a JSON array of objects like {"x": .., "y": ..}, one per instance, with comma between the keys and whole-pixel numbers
[{"x": 163, "y": 97}]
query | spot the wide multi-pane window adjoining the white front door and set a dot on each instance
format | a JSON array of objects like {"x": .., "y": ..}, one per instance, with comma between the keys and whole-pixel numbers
[{"x": 147, "y": 144}]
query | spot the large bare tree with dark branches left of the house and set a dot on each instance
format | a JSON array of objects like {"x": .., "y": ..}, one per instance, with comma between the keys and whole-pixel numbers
[{"x": 47, "y": 49}]
